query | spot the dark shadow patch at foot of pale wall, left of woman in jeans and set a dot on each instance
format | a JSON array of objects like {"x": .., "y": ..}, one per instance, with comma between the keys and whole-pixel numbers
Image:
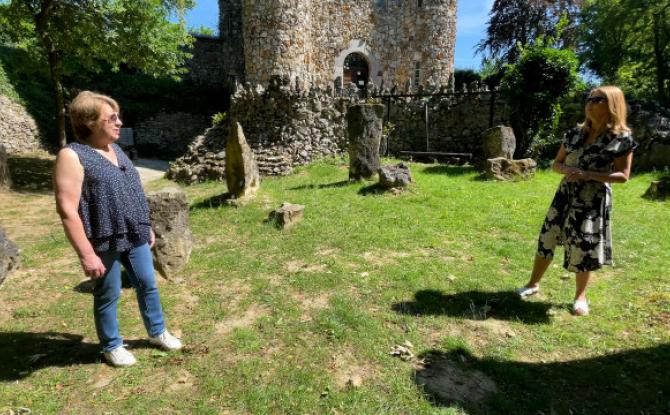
[{"x": 30, "y": 174}]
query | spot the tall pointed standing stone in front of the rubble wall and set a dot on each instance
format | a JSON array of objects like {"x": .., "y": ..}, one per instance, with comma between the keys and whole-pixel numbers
[{"x": 242, "y": 175}]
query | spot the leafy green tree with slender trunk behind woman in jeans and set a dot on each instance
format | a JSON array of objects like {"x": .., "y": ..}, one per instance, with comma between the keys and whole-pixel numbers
[{"x": 95, "y": 34}]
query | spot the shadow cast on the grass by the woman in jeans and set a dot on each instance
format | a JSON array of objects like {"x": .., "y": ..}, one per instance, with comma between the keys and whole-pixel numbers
[{"x": 22, "y": 353}]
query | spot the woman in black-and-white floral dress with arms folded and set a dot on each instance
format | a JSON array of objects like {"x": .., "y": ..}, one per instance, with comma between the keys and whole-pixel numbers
[{"x": 593, "y": 155}]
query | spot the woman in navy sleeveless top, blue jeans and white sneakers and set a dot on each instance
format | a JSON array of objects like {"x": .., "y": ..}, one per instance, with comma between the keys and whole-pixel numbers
[{"x": 105, "y": 214}]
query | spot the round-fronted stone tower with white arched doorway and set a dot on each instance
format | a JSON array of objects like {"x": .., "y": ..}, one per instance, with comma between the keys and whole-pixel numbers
[{"x": 326, "y": 42}]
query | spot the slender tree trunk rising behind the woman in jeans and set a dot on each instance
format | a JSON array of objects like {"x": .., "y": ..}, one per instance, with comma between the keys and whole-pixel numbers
[{"x": 55, "y": 65}]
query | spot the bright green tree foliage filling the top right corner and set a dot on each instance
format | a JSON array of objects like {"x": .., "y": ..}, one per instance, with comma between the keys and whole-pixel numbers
[{"x": 627, "y": 42}]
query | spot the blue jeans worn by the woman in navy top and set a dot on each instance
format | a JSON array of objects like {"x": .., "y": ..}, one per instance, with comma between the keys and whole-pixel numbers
[{"x": 138, "y": 263}]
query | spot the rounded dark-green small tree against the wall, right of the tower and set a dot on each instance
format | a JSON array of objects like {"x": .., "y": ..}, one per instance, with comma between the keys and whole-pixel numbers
[{"x": 533, "y": 86}]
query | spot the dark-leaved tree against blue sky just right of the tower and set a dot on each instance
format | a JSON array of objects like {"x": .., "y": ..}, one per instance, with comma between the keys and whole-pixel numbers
[{"x": 520, "y": 22}]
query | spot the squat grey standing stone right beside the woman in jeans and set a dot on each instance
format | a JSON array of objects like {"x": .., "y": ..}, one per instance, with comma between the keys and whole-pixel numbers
[{"x": 174, "y": 240}]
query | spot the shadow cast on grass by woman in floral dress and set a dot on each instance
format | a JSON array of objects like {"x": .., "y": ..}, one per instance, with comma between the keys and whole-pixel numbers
[{"x": 475, "y": 305}]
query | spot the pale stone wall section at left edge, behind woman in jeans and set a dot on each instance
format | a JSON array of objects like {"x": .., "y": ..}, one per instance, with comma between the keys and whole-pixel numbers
[{"x": 18, "y": 130}]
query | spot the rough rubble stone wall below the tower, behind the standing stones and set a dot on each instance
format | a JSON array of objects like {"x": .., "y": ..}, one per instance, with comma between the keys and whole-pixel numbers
[{"x": 286, "y": 127}]
